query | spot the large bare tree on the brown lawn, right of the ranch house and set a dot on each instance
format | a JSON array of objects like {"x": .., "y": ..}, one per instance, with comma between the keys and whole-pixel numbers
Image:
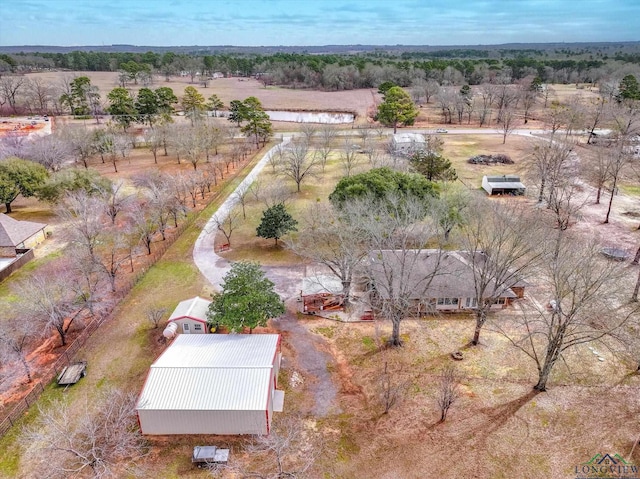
[{"x": 586, "y": 304}]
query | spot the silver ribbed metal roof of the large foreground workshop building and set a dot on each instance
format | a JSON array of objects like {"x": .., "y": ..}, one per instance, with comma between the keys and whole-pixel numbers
[{"x": 212, "y": 372}]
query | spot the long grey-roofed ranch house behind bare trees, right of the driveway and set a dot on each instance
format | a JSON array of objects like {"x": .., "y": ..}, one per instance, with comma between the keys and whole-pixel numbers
[{"x": 434, "y": 280}]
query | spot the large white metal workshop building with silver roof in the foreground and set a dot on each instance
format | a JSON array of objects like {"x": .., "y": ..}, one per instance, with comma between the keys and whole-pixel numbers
[{"x": 213, "y": 384}]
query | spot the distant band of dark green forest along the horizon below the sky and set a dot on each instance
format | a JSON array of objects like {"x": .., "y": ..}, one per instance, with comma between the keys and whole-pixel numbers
[{"x": 341, "y": 71}]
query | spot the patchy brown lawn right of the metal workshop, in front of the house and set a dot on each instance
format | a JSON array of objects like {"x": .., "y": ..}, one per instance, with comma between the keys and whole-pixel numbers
[{"x": 498, "y": 415}]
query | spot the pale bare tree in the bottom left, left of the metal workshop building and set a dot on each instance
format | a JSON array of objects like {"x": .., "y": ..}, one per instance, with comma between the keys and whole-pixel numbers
[{"x": 97, "y": 437}]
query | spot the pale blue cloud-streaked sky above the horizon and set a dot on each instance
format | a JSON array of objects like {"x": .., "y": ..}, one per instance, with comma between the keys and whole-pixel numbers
[{"x": 315, "y": 22}]
